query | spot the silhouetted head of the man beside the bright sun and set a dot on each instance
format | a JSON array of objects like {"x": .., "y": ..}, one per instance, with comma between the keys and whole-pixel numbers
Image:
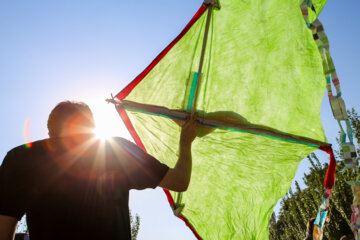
[{"x": 69, "y": 118}]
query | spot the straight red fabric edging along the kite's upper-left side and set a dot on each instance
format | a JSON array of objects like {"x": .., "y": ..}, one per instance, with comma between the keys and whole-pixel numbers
[{"x": 121, "y": 95}]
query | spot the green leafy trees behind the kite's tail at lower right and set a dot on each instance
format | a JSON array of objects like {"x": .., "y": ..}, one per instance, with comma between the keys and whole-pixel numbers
[{"x": 301, "y": 204}]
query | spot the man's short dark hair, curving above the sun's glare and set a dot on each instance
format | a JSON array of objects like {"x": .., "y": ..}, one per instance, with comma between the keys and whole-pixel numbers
[{"x": 62, "y": 112}]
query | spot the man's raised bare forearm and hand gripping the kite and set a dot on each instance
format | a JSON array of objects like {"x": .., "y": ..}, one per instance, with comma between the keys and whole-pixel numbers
[{"x": 178, "y": 178}]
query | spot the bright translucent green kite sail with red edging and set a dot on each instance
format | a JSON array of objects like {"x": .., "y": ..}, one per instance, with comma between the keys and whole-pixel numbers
[{"x": 253, "y": 73}]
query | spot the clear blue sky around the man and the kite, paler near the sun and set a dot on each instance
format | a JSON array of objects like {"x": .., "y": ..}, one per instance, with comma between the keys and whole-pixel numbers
[{"x": 84, "y": 50}]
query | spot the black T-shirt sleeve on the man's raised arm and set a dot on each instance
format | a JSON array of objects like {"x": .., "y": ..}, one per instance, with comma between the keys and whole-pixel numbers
[{"x": 144, "y": 171}]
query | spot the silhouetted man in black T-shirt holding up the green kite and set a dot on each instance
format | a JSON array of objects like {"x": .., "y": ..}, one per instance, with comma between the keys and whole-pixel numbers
[{"x": 73, "y": 186}]
